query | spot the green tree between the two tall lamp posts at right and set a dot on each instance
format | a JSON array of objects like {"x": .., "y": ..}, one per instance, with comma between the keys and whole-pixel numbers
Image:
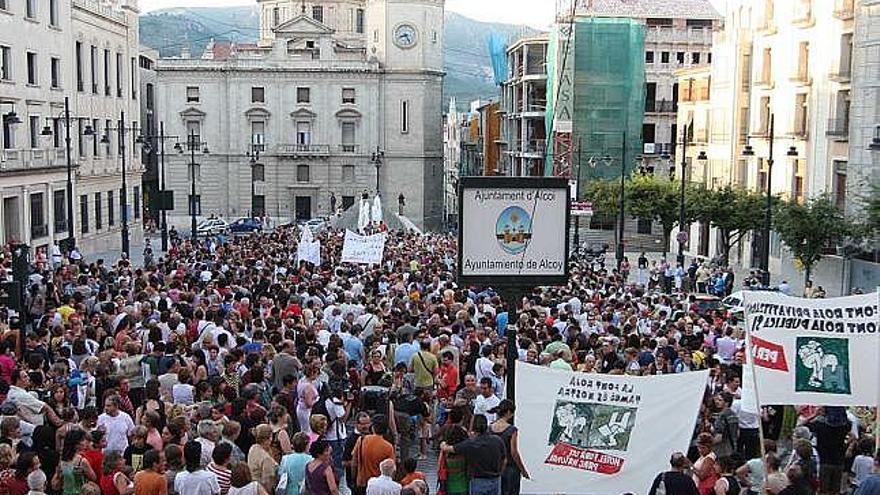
[{"x": 733, "y": 211}]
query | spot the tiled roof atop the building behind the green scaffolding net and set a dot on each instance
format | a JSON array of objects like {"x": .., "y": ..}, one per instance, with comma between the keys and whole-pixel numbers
[{"x": 681, "y": 9}]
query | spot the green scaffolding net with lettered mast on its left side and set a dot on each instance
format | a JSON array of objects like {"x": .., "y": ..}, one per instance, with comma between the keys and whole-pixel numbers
[{"x": 596, "y": 107}]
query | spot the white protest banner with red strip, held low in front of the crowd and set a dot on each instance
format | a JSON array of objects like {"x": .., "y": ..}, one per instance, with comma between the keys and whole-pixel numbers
[{"x": 602, "y": 434}]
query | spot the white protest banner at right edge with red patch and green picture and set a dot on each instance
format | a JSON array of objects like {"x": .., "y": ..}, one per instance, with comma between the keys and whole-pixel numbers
[{"x": 814, "y": 351}]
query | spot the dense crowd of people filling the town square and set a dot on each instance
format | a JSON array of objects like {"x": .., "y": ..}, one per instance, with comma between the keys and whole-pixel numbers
[{"x": 227, "y": 367}]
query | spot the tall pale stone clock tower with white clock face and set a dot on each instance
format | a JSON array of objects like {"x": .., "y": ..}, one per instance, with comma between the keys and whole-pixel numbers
[{"x": 406, "y": 38}]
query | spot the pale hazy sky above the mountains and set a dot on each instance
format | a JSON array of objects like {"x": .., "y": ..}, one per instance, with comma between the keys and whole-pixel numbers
[{"x": 537, "y": 13}]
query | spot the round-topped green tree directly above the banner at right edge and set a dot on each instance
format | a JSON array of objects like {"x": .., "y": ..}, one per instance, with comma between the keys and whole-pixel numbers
[{"x": 807, "y": 229}]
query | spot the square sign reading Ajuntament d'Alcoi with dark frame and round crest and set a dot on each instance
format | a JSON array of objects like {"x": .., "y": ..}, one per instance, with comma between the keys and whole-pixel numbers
[{"x": 514, "y": 227}]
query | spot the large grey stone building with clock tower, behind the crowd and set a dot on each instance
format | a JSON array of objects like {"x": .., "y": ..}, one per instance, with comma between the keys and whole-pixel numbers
[{"x": 336, "y": 98}]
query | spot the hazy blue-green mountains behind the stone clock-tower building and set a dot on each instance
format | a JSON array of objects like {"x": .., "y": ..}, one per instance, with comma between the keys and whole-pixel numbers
[{"x": 469, "y": 74}]
